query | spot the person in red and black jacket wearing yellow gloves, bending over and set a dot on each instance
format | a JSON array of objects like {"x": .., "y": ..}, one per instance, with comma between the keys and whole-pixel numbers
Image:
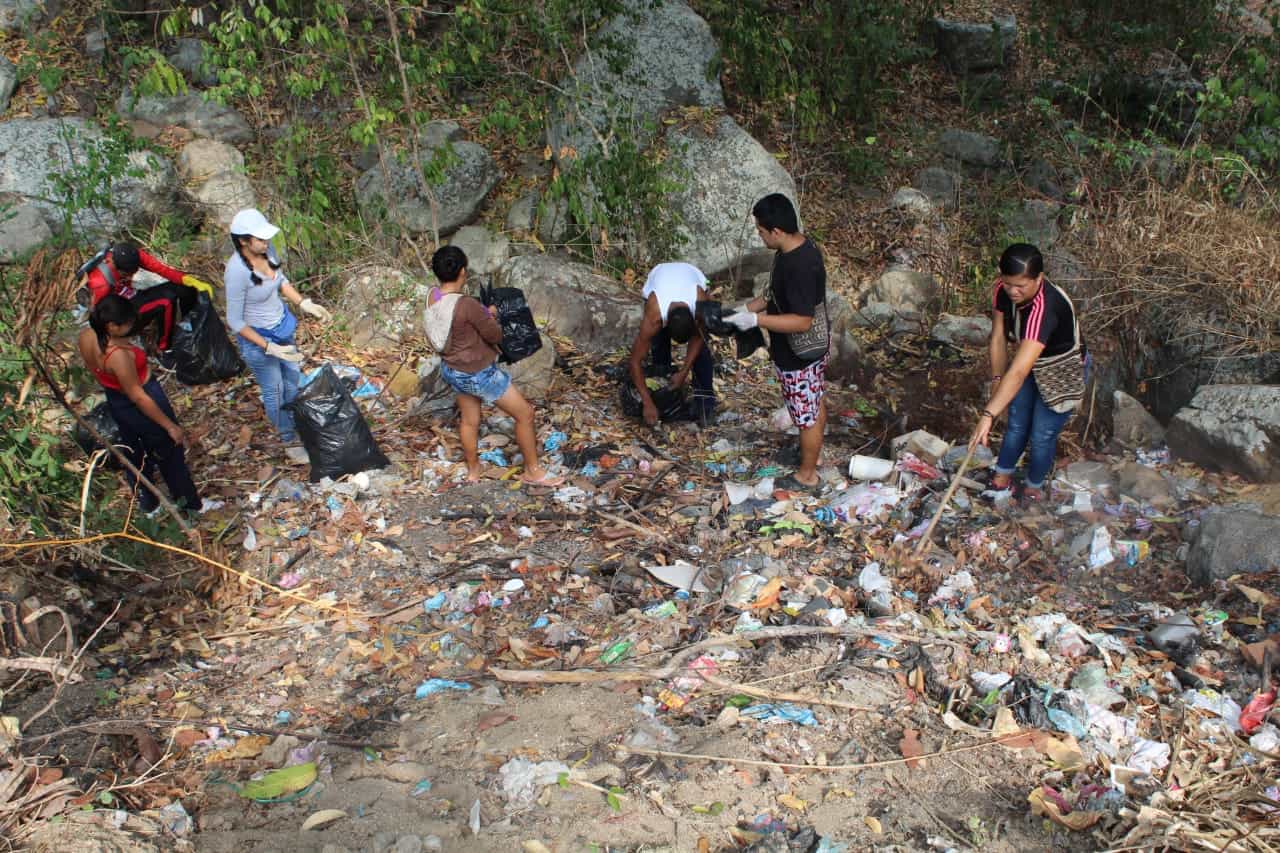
[{"x": 163, "y": 304}]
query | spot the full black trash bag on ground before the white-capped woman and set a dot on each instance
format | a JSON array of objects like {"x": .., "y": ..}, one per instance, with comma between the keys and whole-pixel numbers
[{"x": 333, "y": 430}]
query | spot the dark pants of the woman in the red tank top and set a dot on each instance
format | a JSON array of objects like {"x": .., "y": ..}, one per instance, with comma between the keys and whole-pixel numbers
[{"x": 150, "y": 449}]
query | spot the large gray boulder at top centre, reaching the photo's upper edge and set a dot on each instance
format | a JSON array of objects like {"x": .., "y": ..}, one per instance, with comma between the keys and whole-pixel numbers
[{"x": 651, "y": 58}]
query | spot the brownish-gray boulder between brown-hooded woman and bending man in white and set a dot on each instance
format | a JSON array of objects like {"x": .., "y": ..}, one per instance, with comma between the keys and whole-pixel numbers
[{"x": 570, "y": 300}]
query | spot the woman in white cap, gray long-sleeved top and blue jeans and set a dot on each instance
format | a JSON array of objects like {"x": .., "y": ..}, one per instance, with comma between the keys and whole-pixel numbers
[{"x": 258, "y": 316}]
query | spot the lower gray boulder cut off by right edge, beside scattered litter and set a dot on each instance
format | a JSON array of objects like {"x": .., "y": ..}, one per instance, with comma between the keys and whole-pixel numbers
[{"x": 1233, "y": 540}]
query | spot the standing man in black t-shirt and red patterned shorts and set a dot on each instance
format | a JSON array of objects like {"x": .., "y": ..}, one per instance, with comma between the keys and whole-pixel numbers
[{"x": 798, "y": 290}]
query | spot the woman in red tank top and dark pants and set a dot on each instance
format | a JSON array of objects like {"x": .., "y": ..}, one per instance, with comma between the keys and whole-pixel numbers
[{"x": 149, "y": 427}]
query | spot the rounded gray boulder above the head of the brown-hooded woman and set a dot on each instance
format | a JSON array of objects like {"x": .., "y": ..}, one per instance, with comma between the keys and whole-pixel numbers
[{"x": 469, "y": 175}]
